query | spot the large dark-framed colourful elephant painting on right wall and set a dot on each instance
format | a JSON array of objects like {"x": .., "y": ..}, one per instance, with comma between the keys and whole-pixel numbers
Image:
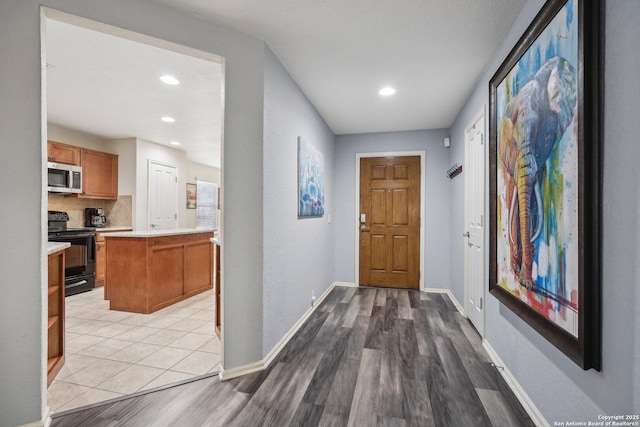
[{"x": 545, "y": 178}]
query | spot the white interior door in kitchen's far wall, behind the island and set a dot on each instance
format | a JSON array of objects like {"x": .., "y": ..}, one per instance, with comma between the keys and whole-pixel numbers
[{"x": 163, "y": 196}]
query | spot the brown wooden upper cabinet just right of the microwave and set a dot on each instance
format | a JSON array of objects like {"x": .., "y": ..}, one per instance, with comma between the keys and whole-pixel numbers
[{"x": 99, "y": 175}]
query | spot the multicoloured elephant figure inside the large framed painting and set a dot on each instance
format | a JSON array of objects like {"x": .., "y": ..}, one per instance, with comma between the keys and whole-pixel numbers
[{"x": 530, "y": 128}]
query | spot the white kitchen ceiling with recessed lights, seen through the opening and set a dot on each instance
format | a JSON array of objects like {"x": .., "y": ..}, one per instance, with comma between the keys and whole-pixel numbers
[{"x": 110, "y": 87}]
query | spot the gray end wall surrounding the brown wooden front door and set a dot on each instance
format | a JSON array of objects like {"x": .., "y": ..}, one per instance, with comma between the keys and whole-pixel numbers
[{"x": 436, "y": 196}]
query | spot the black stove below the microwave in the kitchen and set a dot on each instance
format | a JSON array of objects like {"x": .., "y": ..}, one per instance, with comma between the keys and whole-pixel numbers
[{"x": 80, "y": 258}]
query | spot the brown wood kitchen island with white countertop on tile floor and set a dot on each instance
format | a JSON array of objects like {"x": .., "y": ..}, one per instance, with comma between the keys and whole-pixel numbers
[{"x": 152, "y": 269}]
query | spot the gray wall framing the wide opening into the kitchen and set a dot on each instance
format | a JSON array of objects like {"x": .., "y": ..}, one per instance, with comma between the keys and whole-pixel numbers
[{"x": 23, "y": 229}]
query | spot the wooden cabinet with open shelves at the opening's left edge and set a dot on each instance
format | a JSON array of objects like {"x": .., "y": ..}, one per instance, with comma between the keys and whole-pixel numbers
[{"x": 55, "y": 315}]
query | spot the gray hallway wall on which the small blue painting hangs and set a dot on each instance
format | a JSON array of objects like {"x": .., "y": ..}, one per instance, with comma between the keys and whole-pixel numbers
[{"x": 297, "y": 252}]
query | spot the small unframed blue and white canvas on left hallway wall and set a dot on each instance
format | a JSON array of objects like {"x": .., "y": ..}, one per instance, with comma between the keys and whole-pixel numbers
[{"x": 310, "y": 180}]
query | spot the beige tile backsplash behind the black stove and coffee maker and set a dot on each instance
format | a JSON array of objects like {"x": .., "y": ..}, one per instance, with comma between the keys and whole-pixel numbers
[{"x": 118, "y": 212}]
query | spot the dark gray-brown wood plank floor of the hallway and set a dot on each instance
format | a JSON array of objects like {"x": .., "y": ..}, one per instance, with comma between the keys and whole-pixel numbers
[{"x": 366, "y": 357}]
